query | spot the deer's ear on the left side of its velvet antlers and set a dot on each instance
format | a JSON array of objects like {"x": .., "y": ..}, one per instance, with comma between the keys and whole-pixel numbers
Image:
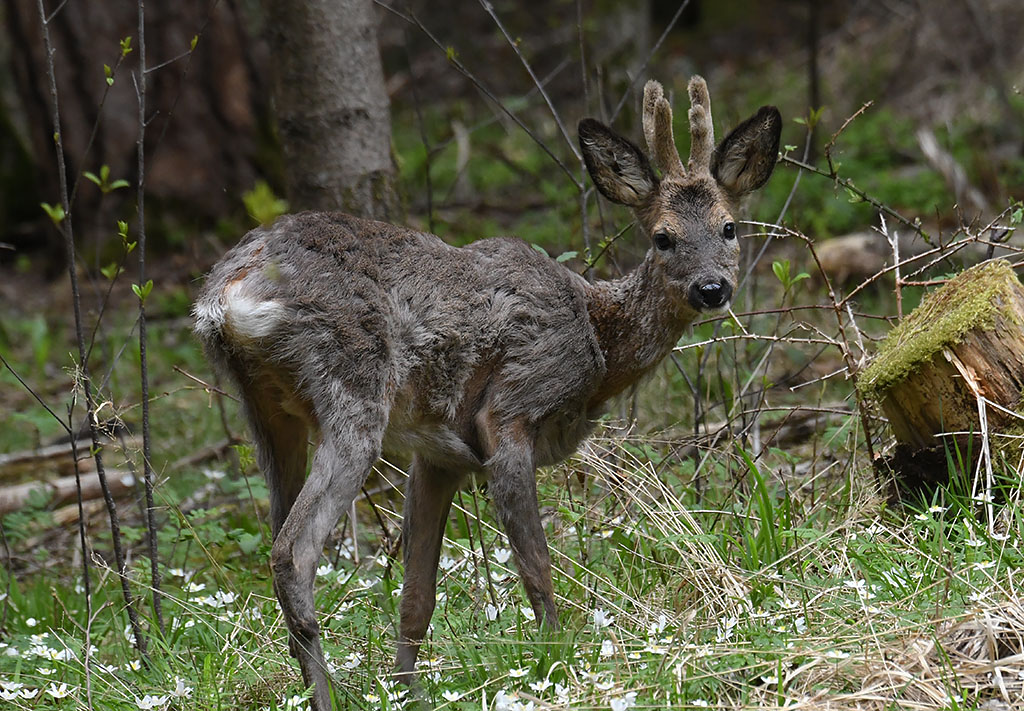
[{"x": 619, "y": 169}]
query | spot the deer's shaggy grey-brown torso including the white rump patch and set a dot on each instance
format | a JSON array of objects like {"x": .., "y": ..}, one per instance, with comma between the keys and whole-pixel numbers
[{"x": 453, "y": 342}]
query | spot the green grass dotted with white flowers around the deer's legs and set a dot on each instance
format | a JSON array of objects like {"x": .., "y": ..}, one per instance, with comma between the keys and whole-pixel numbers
[{"x": 666, "y": 604}]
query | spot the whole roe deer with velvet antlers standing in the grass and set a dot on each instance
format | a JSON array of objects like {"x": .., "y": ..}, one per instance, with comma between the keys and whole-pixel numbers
[{"x": 490, "y": 358}]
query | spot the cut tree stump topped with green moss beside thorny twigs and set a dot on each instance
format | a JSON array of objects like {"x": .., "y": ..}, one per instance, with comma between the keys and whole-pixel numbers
[{"x": 964, "y": 341}]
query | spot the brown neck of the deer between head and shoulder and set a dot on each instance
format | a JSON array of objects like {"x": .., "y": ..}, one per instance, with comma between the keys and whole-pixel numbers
[{"x": 637, "y": 323}]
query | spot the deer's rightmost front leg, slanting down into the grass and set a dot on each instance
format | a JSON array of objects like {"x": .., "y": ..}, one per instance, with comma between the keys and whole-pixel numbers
[{"x": 514, "y": 489}]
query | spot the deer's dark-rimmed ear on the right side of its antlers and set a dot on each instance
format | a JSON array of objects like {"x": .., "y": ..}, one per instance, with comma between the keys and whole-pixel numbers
[{"x": 745, "y": 159}]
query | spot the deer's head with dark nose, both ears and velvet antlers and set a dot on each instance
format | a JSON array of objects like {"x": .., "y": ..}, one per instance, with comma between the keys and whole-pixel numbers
[{"x": 689, "y": 213}]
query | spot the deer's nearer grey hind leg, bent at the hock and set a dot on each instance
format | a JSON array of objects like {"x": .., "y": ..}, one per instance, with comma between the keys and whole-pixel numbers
[{"x": 351, "y": 443}]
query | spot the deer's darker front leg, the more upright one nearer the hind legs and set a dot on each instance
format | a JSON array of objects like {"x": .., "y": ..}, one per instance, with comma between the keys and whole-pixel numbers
[{"x": 429, "y": 499}]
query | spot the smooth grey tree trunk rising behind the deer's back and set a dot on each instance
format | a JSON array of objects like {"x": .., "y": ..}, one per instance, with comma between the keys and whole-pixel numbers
[{"x": 332, "y": 107}]
